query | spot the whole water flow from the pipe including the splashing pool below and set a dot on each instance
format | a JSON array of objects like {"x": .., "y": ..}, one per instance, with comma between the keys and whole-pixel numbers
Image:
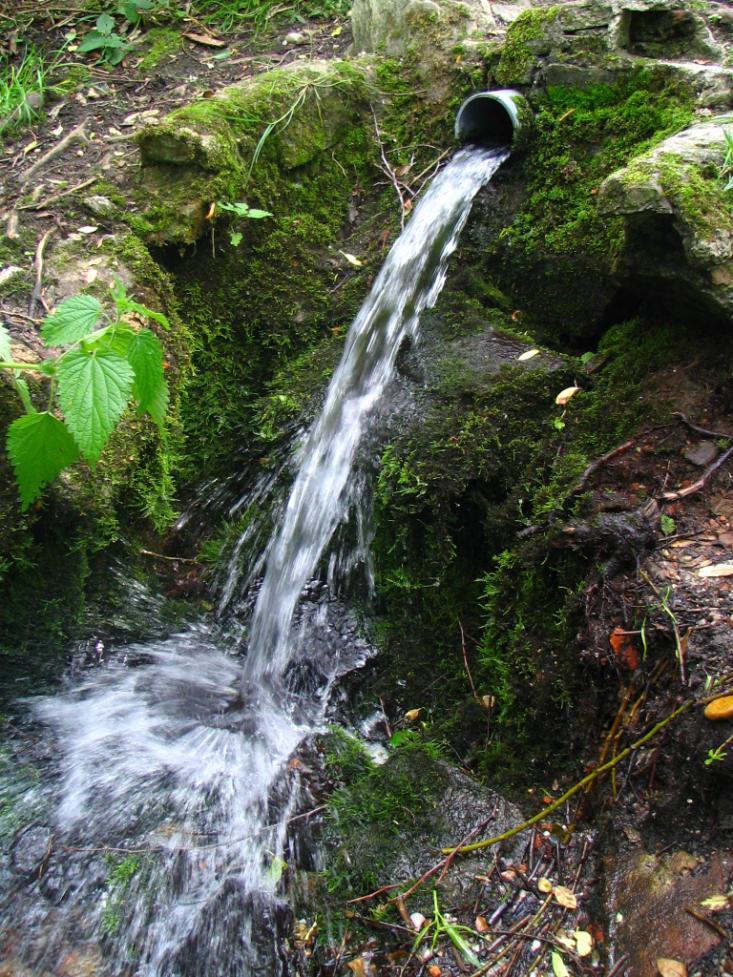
[{"x": 168, "y": 754}]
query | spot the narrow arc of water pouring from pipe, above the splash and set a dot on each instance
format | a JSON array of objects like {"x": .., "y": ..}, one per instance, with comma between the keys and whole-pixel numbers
[{"x": 410, "y": 281}]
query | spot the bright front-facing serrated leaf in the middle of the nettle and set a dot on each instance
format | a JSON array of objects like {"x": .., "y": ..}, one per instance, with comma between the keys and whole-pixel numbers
[{"x": 94, "y": 390}]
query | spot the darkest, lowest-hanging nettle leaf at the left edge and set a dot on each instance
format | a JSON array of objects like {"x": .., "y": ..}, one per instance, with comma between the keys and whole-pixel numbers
[{"x": 39, "y": 447}]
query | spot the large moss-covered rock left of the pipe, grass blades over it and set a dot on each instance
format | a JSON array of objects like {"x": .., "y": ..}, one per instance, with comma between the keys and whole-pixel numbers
[{"x": 235, "y": 142}]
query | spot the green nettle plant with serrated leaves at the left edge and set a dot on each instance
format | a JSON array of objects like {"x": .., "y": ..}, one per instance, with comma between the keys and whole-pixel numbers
[{"x": 106, "y": 363}]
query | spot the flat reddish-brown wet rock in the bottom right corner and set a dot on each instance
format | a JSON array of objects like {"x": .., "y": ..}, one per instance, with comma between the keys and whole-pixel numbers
[{"x": 648, "y": 896}]
